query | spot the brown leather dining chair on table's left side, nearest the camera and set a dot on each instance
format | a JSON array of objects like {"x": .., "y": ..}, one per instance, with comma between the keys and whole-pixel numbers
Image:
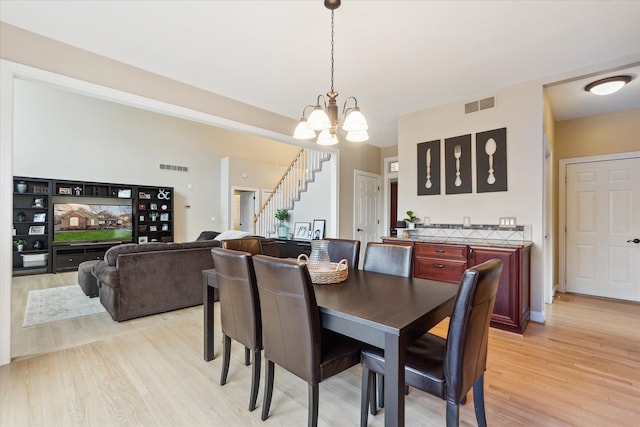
[{"x": 291, "y": 331}]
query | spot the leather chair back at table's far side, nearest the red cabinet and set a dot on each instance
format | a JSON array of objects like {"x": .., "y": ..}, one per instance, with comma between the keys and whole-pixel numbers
[{"x": 389, "y": 259}]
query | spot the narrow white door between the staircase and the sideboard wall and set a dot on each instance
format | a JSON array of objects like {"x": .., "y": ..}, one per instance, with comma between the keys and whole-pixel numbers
[{"x": 366, "y": 209}]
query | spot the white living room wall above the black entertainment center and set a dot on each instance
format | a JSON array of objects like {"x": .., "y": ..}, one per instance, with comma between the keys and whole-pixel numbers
[{"x": 59, "y": 134}]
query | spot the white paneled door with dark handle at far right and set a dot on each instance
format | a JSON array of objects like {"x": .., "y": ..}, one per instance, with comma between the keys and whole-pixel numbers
[{"x": 602, "y": 221}]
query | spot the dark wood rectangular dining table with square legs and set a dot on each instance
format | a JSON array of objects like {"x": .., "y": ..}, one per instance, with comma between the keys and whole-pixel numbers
[{"x": 379, "y": 309}]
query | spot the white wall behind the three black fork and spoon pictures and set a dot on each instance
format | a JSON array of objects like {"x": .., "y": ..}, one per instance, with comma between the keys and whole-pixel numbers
[{"x": 520, "y": 110}]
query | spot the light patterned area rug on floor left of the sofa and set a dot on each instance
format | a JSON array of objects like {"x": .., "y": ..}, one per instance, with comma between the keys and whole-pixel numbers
[{"x": 53, "y": 304}]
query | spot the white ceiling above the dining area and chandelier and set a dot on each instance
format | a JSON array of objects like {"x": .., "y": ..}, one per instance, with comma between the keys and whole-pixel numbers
[{"x": 396, "y": 57}]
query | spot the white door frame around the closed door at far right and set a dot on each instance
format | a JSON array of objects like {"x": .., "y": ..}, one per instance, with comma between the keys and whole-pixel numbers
[{"x": 562, "y": 205}]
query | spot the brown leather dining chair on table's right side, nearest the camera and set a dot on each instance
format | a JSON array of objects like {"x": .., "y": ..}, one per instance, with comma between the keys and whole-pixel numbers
[{"x": 448, "y": 368}]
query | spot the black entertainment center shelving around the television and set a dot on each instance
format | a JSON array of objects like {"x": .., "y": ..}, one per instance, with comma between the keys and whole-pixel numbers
[{"x": 34, "y": 219}]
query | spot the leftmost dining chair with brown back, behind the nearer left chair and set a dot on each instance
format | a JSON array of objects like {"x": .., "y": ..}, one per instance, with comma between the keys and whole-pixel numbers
[{"x": 240, "y": 317}]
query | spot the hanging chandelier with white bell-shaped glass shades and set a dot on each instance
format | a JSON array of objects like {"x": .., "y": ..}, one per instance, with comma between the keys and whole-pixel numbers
[{"x": 324, "y": 118}]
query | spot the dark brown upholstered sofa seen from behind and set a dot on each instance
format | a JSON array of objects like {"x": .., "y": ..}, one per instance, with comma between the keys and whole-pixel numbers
[{"x": 138, "y": 280}]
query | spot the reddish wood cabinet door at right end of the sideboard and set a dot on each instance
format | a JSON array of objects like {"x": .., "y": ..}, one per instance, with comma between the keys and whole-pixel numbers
[{"x": 508, "y": 307}]
